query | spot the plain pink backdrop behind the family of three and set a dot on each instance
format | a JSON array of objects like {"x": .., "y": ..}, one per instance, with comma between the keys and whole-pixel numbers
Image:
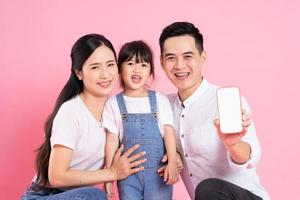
[{"x": 253, "y": 44}]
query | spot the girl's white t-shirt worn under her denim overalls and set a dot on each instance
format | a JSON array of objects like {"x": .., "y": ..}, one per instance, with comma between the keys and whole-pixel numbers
[{"x": 112, "y": 117}]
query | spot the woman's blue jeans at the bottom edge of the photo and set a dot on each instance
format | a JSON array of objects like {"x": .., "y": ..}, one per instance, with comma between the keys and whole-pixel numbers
[{"x": 35, "y": 192}]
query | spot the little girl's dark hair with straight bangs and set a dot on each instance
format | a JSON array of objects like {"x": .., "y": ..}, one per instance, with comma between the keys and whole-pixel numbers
[{"x": 138, "y": 50}]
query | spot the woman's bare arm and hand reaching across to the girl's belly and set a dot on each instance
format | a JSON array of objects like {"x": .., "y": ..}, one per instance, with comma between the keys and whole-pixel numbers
[{"x": 60, "y": 175}]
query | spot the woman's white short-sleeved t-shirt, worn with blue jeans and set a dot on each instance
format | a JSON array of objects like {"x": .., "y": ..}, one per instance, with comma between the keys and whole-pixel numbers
[{"x": 76, "y": 128}]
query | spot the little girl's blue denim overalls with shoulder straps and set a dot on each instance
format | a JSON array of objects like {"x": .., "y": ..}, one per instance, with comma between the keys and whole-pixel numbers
[{"x": 143, "y": 129}]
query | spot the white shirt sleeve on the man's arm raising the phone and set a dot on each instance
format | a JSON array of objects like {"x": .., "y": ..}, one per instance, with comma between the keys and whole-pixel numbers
[{"x": 252, "y": 140}]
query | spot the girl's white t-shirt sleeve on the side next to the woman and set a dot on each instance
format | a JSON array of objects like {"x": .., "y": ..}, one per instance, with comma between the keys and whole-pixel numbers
[{"x": 109, "y": 121}]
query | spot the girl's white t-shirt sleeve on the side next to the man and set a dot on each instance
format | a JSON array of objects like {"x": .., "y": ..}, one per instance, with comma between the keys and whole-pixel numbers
[{"x": 165, "y": 113}]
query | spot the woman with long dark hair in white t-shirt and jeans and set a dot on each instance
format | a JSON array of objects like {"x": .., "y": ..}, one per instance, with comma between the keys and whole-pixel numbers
[{"x": 70, "y": 159}]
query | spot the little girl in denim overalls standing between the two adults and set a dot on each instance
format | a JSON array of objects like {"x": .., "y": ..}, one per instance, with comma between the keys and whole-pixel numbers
[{"x": 141, "y": 116}]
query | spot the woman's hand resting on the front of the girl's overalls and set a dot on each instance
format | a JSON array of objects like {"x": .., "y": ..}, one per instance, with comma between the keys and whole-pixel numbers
[{"x": 125, "y": 165}]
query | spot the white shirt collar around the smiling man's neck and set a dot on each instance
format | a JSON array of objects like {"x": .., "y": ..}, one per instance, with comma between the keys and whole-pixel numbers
[{"x": 195, "y": 96}]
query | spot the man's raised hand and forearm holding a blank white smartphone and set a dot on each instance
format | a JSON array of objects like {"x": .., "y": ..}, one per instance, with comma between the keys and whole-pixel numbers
[{"x": 233, "y": 123}]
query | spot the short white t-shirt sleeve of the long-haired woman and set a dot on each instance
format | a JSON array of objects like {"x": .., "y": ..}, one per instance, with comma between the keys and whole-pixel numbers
[{"x": 65, "y": 128}]
